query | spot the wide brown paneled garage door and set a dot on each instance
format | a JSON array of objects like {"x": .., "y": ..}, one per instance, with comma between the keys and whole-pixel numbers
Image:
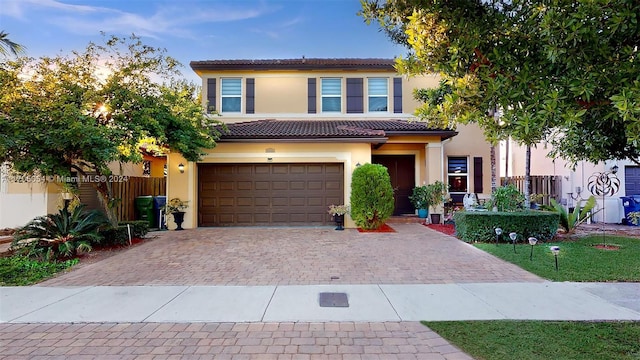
[{"x": 268, "y": 194}]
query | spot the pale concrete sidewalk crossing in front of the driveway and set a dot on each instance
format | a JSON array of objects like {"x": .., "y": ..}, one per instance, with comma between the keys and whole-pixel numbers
[{"x": 299, "y": 303}]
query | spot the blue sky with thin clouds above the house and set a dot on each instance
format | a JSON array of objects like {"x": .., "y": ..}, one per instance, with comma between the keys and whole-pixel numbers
[{"x": 200, "y": 29}]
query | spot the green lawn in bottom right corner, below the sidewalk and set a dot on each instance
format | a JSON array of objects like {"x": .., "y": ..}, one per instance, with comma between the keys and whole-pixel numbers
[{"x": 528, "y": 340}]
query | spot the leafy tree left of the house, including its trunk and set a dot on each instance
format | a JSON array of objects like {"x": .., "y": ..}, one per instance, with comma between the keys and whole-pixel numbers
[{"x": 79, "y": 113}]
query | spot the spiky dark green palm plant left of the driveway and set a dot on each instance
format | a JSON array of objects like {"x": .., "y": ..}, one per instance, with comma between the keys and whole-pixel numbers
[{"x": 60, "y": 235}]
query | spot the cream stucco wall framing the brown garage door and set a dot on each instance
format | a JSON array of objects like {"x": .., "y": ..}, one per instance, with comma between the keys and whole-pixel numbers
[{"x": 185, "y": 185}]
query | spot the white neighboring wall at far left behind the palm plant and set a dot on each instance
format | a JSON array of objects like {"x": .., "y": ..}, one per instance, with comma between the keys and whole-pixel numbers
[{"x": 18, "y": 209}]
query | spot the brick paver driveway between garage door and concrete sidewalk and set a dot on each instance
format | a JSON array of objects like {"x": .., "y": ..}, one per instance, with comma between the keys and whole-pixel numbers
[{"x": 414, "y": 254}]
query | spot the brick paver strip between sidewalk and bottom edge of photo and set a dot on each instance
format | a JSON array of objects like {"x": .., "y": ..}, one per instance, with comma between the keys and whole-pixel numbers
[{"x": 344, "y": 340}]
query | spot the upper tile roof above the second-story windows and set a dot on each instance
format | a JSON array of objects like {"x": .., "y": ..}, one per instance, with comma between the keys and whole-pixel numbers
[{"x": 294, "y": 64}]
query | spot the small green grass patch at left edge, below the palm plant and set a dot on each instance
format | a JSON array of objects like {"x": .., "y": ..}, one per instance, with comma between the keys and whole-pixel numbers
[{"x": 18, "y": 270}]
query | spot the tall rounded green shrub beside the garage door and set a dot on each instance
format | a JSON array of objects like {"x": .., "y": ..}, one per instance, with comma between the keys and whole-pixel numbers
[{"x": 371, "y": 200}]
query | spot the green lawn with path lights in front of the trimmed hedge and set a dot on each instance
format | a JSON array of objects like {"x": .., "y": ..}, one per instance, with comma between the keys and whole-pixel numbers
[{"x": 578, "y": 260}]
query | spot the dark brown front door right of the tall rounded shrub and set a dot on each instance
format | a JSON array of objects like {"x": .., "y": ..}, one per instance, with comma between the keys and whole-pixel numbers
[{"x": 402, "y": 172}]
